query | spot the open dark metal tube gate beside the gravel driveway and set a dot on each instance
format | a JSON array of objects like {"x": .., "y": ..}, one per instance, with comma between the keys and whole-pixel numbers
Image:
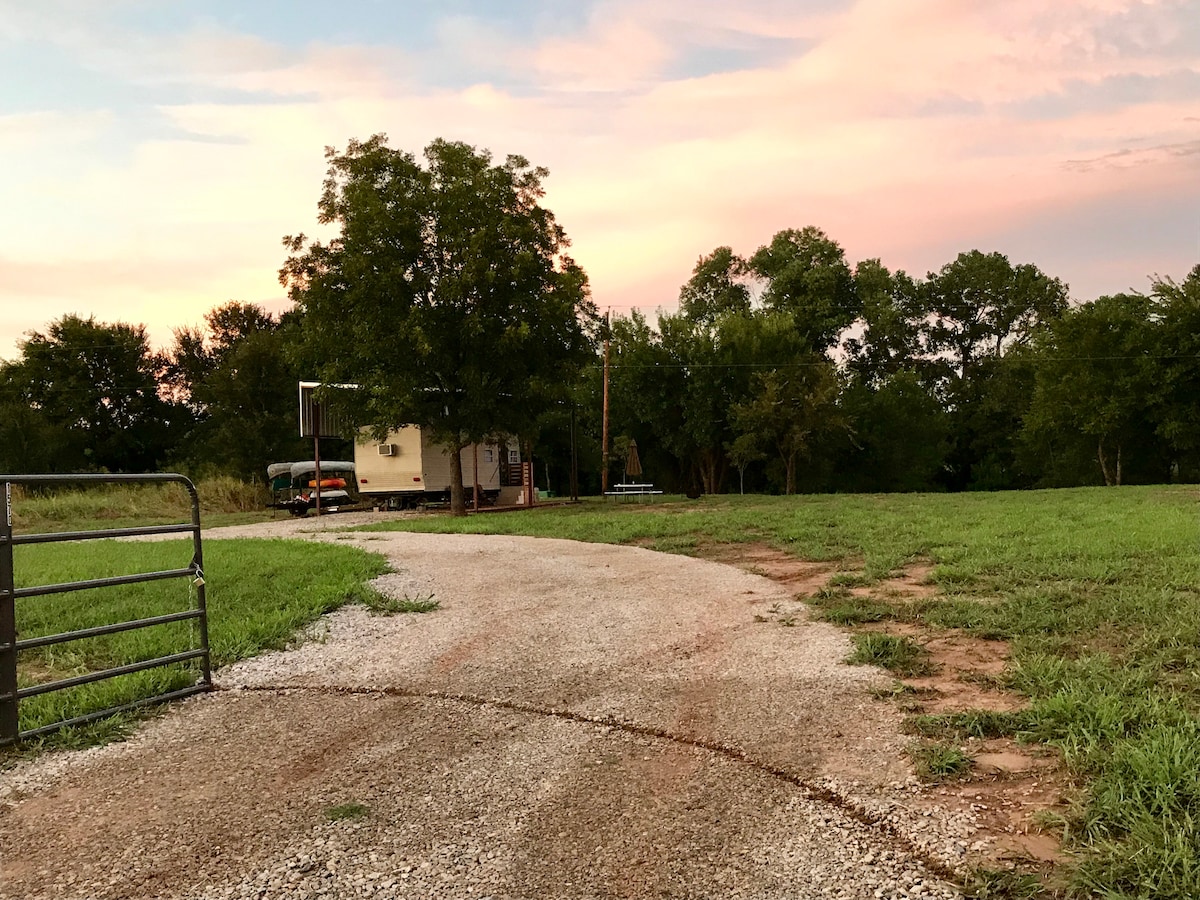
[{"x": 10, "y": 646}]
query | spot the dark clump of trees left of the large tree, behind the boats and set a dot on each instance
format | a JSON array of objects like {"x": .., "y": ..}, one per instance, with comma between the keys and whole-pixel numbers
[{"x": 92, "y": 397}]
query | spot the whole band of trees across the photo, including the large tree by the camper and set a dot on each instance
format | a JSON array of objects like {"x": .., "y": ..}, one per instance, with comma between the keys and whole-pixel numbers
[{"x": 449, "y": 297}]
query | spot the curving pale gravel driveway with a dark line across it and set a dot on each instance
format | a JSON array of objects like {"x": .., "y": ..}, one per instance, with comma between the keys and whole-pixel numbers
[{"x": 574, "y": 722}]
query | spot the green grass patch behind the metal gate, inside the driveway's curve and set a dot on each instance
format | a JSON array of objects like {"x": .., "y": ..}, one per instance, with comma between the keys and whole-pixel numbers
[{"x": 261, "y": 593}]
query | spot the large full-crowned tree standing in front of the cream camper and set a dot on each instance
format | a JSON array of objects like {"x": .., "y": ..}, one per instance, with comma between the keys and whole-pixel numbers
[{"x": 447, "y": 295}]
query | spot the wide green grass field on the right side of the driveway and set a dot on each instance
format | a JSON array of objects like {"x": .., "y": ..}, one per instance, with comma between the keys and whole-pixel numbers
[{"x": 1097, "y": 591}]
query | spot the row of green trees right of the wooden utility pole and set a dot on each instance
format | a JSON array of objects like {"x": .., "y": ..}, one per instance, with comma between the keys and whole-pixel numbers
[{"x": 790, "y": 370}]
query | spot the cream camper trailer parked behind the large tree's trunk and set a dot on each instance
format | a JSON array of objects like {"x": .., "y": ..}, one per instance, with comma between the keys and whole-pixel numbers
[{"x": 407, "y": 470}]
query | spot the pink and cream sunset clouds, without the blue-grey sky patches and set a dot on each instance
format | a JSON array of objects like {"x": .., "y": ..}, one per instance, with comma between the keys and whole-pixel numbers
[{"x": 647, "y": 173}]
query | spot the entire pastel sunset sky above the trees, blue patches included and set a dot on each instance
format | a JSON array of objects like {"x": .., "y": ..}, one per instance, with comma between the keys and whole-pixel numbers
[{"x": 155, "y": 153}]
